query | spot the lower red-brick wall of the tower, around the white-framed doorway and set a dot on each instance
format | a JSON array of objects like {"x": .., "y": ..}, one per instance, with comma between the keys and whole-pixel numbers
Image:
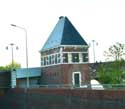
[{"x": 62, "y": 74}]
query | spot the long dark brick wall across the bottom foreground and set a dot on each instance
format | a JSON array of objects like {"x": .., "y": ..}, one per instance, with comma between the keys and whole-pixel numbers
[{"x": 63, "y": 99}]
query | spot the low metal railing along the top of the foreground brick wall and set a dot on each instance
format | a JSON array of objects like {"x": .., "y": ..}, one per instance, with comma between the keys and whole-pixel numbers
[{"x": 84, "y": 86}]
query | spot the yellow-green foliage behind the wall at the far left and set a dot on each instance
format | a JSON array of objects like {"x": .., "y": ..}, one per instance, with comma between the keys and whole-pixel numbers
[{"x": 10, "y": 66}]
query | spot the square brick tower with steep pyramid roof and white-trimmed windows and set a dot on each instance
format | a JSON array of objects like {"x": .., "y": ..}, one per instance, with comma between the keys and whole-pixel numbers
[{"x": 64, "y": 56}]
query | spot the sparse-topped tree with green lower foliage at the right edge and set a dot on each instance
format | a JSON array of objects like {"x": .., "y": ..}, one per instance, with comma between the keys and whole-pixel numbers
[{"x": 113, "y": 72}]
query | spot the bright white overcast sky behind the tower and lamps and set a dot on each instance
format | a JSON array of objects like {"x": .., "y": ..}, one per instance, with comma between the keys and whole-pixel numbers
[{"x": 99, "y": 20}]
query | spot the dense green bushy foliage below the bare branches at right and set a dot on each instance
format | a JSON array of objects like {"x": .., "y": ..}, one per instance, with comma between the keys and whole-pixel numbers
[{"x": 110, "y": 73}]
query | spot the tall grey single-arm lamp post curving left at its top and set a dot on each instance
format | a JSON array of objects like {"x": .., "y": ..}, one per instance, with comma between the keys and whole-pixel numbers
[{"x": 24, "y": 29}]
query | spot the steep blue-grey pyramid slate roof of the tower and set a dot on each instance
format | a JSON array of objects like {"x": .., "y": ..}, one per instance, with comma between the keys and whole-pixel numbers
[{"x": 64, "y": 33}]
